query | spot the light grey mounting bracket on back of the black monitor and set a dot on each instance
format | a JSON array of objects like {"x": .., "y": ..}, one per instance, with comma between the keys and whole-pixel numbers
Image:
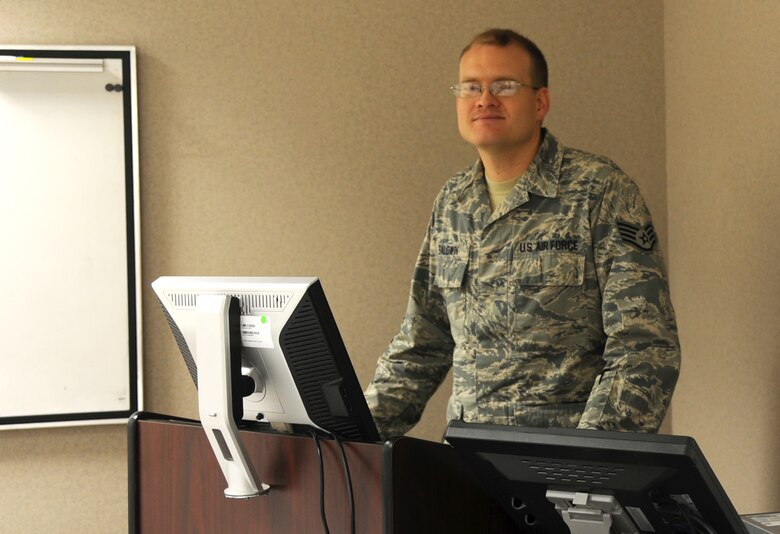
[{"x": 587, "y": 513}]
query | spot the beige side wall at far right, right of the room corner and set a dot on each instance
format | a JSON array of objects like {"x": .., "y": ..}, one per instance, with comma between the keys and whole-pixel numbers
[{"x": 723, "y": 134}]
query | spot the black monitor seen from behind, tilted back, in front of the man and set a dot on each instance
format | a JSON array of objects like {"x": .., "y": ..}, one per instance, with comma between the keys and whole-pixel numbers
[{"x": 556, "y": 481}]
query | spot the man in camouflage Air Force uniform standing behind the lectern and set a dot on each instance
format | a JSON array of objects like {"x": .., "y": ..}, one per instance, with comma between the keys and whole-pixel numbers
[{"x": 551, "y": 304}]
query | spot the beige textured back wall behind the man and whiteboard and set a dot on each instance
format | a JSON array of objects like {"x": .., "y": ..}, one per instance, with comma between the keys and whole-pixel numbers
[{"x": 310, "y": 138}]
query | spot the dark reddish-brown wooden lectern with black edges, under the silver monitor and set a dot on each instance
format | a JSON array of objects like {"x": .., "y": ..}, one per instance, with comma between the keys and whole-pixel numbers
[{"x": 403, "y": 486}]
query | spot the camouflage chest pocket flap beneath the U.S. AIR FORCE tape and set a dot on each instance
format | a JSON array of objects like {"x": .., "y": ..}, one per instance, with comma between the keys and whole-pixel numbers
[{"x": 549, "y": 269}]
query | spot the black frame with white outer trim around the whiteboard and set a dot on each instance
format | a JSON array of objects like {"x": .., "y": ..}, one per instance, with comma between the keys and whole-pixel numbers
[{"x": 132, "y": 235}]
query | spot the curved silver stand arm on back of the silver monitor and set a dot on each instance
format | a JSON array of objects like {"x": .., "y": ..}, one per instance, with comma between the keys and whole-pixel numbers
[{"x": 216, "y": 381}]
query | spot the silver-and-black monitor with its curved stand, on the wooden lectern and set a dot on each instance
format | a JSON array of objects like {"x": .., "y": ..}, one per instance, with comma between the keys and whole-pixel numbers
[{"x": 263, "y": 350}]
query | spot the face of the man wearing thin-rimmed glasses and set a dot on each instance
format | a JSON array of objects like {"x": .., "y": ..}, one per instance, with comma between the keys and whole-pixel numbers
[{"x": 499, "y": 124}]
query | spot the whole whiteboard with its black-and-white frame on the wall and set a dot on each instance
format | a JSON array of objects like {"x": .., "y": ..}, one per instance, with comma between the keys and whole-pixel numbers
[{"x": 70, "y": 343}]
